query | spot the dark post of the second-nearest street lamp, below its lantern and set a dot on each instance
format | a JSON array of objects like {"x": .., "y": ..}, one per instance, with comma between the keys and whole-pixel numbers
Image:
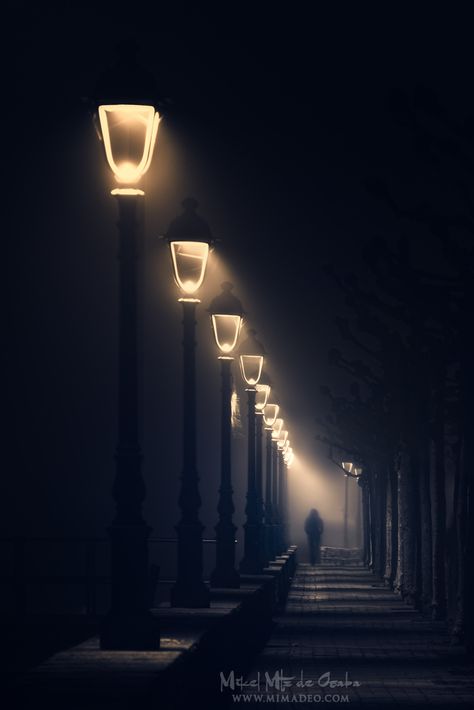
[{"x": 189, "y": 589}]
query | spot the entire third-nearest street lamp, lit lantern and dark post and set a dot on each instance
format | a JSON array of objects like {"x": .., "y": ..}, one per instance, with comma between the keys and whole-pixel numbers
[{"x": 226, "y": 318}]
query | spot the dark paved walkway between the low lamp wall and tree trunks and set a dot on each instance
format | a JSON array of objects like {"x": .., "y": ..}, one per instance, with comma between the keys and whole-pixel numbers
[{"x": 342, "y": 625}]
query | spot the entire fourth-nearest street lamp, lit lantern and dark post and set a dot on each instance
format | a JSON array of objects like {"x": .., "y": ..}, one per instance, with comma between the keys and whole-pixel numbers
[{"x": 251, "y": 364}]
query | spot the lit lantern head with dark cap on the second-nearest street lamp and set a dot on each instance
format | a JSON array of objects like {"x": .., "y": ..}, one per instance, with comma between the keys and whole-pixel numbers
[{"x": 189, "y": 237}]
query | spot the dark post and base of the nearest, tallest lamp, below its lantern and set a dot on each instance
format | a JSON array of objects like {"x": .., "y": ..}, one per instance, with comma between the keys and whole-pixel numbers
[{"x": 129, "y": 624}]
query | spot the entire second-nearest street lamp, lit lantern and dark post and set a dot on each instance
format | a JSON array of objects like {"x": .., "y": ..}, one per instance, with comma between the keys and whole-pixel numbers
[{"x": 189, "y": 238}]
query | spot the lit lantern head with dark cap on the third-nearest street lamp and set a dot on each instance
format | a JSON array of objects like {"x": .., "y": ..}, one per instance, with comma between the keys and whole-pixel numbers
[{"x": 226, "y": 319}]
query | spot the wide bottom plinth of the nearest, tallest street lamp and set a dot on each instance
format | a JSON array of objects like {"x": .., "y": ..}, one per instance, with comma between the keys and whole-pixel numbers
[{"x": 130, "y": 633}]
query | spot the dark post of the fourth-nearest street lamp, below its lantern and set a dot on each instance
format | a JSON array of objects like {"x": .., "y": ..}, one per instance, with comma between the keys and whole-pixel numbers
[{"x": 252, "y": 562}]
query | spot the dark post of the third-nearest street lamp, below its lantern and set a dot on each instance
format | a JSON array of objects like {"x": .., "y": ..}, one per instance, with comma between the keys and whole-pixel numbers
[{"x": 225, "y": 574}]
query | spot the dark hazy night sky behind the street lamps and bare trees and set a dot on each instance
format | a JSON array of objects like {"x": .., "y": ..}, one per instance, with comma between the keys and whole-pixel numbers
[{"x": 275, "y": 121}]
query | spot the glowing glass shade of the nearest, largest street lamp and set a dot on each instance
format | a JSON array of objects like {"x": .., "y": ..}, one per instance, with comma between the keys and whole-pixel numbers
[{"x": 129, "y": 135}]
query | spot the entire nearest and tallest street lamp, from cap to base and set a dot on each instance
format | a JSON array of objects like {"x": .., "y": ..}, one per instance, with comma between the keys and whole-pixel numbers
[{"x": 127, "y": 124}]
